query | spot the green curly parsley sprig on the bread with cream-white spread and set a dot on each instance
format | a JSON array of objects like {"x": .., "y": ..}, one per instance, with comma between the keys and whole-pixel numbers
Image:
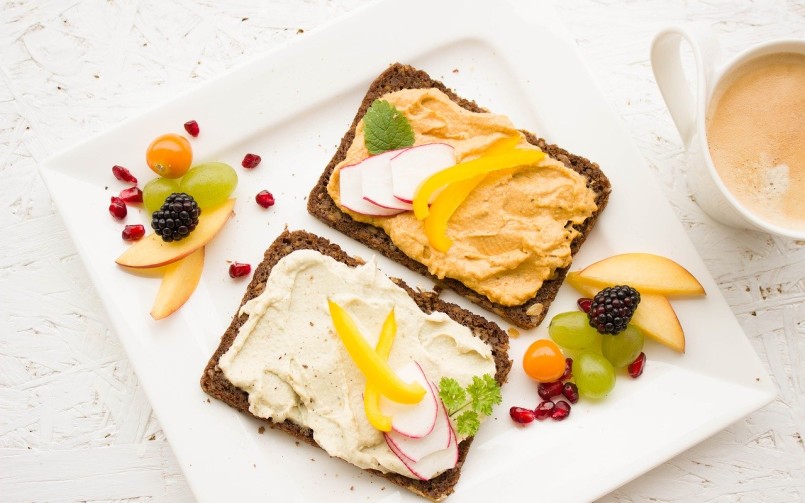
[{"x": 477, "y": 399}]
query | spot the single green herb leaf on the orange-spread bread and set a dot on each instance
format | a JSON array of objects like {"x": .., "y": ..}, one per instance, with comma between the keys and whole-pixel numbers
[{"x": 386, "y": 128}]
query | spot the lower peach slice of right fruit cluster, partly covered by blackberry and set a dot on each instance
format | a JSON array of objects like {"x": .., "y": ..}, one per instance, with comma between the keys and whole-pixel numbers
[{"x": 654, "y": 315}]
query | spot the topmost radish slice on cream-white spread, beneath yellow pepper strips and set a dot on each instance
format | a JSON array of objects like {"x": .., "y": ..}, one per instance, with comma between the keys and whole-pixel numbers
[{"x": 414, "y": 420}]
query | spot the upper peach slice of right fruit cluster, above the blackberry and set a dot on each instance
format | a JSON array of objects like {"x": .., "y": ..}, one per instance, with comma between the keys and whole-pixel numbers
[{"x": 645, "y": 272}]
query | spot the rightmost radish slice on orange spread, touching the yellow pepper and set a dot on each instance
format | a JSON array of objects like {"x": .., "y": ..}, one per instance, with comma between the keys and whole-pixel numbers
[{"x": 415, "y": 165}]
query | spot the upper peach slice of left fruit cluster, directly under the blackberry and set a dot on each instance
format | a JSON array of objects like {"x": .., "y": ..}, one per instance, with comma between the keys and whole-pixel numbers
[{"x": 151, "y": 251}]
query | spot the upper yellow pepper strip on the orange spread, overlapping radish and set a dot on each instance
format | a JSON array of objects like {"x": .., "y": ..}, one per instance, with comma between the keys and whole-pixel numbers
[{"x": 470, "y": 169}]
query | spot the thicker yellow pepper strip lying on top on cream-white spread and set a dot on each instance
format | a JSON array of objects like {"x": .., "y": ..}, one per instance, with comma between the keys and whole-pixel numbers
[{"x": 369, "y": 362}]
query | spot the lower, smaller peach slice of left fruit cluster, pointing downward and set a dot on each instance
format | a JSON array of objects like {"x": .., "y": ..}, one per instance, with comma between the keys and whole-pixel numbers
[{"x": 178, "y": 284}]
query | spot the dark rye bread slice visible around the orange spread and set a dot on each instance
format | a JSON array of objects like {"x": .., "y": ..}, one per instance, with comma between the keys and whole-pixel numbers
[{"x": 322, "y": 206}]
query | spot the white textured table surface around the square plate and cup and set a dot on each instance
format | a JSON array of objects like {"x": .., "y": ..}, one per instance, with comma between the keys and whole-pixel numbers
[{"x": 74, "y": 424}]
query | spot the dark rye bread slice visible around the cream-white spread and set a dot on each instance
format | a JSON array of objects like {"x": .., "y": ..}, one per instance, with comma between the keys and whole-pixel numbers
[{"x": 214, "y": 383}]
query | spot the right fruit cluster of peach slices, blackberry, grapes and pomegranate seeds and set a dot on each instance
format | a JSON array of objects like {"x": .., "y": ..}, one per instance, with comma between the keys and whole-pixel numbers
[{"x": 625, "y": 301}]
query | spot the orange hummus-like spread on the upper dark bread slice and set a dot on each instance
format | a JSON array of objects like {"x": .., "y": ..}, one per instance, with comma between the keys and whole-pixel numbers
[{"x": 512, "y": 232}]
